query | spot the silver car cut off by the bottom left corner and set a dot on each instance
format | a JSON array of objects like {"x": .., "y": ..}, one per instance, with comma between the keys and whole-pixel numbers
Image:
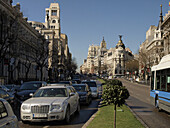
[{"x": 7, "y": 117}]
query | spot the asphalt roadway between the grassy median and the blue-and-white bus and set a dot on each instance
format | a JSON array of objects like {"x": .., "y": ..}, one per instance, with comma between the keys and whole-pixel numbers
[{"x": 139, "y": 102}]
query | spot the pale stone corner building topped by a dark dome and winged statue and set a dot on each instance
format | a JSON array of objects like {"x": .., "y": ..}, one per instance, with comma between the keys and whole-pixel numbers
[{"x": 115, "y": 59}]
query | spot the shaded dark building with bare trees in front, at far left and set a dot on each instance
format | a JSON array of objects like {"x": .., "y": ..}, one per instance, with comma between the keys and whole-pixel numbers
[{"x": 19, "y": 59}]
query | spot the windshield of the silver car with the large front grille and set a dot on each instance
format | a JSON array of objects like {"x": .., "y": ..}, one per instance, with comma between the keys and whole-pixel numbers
[{"x": 51, "y": 92}]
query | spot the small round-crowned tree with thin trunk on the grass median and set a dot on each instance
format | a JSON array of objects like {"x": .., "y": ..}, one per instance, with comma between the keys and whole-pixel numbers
[{"x": 114, "y": 93}]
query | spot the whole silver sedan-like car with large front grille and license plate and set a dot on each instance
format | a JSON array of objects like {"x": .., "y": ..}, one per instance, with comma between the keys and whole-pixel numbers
[{"x": 51, "y": 103}]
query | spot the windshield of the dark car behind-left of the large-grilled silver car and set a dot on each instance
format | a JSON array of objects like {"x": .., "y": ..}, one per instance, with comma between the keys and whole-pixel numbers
[{"x": 30, "y": 86}]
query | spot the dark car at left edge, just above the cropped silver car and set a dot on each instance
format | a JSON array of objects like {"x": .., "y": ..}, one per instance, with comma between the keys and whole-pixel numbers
[{"x": 7, "y": 96}]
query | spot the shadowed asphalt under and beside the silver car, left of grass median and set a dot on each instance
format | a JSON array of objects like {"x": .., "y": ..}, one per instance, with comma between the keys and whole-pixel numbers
[{"x": 77, "y": 120}]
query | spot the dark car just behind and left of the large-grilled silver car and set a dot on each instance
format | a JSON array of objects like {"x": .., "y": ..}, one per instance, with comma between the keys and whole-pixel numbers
[{"x": 27, "y": 88}]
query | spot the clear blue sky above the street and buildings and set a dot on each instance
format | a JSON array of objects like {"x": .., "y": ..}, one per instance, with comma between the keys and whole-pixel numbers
[{"x": 86, "y": 21}]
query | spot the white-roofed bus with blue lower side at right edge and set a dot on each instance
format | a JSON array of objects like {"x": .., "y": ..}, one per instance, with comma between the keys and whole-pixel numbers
[{"x": 160, "y": 84}]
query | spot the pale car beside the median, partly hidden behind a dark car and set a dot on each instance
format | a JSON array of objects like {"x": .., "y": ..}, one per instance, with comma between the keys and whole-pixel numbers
[{"x": 93, "y": 87}]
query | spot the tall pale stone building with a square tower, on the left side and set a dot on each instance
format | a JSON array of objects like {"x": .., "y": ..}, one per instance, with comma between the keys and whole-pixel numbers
[{"x": 59, "y": 55}]
